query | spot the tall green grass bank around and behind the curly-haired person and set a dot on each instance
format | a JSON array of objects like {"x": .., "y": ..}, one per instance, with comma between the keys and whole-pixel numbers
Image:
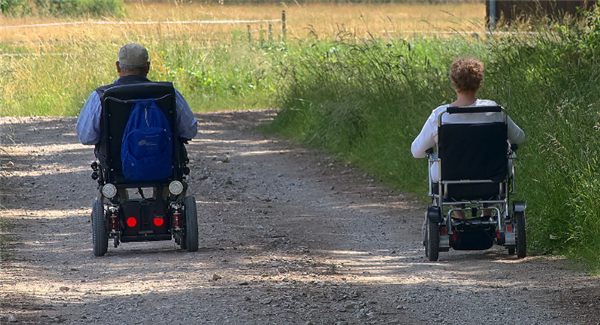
[{"x": 368, "y": 101}]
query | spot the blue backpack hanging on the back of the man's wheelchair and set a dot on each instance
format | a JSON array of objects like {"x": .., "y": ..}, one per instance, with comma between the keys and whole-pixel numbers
[{"x": 147, "y": 146}]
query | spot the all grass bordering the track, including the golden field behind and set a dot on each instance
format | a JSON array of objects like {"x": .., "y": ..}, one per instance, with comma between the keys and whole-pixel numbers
[{"x": 361, "y": 89}]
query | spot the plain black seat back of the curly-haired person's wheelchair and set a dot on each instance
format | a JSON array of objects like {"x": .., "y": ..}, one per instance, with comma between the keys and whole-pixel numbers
[{"x": 473, "y": 156}]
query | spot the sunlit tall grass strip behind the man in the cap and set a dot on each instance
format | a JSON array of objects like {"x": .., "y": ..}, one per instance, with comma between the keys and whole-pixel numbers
[{"x": 56, "y": 80}]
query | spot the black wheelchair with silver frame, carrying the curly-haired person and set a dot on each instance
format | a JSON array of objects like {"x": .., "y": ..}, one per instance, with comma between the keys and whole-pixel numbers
[{"x": 476, "y": 176}]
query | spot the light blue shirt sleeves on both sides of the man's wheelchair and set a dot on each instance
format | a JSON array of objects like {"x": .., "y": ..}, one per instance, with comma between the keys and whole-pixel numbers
[{"x": 88, "y": 123}]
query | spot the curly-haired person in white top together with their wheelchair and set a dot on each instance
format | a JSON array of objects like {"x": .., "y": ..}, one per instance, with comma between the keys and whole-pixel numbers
[{"x": 470, "y": 144}]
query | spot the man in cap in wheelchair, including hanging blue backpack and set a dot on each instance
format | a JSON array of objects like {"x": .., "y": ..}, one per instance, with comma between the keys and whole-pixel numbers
[{"x": 139, "y": 129}]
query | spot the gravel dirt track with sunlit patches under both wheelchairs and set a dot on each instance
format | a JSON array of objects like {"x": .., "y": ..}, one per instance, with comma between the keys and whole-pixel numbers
[{"x": 287, "y": 236}]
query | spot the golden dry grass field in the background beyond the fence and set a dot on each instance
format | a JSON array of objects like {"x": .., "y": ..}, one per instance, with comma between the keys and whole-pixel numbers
[{"x": 323, "y": 20}]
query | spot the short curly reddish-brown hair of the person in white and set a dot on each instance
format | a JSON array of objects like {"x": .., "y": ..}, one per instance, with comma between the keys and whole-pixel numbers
[{"x": 466, "y": 74}]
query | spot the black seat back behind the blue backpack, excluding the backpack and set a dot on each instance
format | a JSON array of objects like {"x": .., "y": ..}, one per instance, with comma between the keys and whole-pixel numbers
[{"x": 118, "y": 103}]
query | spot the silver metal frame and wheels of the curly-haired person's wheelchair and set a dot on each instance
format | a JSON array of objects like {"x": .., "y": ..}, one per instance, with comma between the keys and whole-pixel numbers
[{"x": 505, "y": 227}]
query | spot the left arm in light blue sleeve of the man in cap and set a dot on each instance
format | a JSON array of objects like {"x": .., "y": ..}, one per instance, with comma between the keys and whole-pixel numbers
[{"x": 88, "y": 123}]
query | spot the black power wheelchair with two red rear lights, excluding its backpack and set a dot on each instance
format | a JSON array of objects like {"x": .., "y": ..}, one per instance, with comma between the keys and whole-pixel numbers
[{"x": 136, "y": 211}]
